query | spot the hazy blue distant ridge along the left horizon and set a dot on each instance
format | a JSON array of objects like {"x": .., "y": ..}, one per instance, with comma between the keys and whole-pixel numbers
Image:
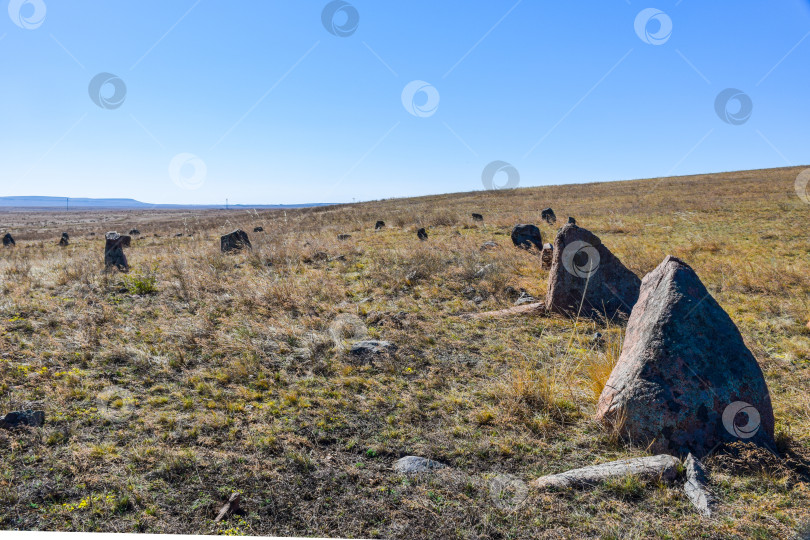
[{"x": 60, "y": 203}]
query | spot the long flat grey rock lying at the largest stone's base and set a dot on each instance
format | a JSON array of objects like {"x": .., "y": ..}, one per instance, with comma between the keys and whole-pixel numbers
[{"x": 650, "y": 467}]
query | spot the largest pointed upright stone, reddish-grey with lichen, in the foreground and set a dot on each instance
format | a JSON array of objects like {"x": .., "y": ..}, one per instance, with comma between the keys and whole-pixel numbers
[{"x": 685, "y": 380}]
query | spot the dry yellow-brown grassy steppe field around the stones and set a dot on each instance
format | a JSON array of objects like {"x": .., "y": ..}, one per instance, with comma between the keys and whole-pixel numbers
[{"x": 198, "y": 374}]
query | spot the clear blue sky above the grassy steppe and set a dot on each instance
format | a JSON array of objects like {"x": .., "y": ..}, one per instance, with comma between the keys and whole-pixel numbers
[{"x": 280, "y": 110}]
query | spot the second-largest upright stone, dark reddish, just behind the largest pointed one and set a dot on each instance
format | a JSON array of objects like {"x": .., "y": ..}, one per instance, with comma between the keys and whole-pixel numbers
[{"x": 587, "y": 279}]
